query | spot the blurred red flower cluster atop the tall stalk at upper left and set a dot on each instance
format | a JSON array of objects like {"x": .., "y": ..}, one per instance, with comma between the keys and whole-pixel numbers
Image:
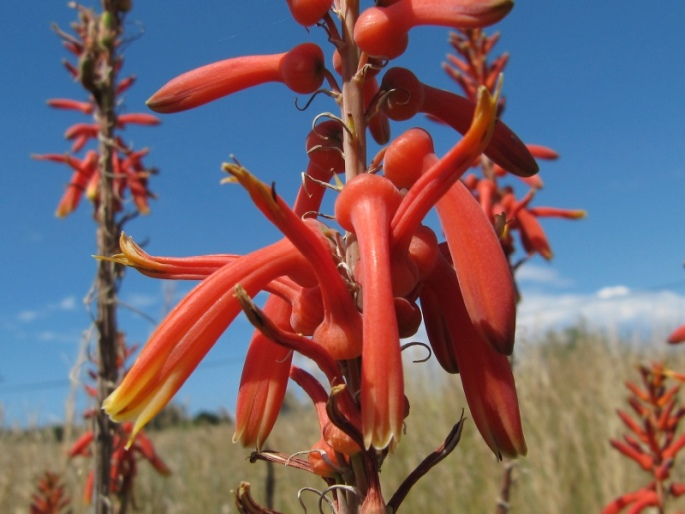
[{"x": 130, "y": 174}]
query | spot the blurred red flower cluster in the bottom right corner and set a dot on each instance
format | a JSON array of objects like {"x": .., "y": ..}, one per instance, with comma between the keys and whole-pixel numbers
[{"x": 654, "y": 443}]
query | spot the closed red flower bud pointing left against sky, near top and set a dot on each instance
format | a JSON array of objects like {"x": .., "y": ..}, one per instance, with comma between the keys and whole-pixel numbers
[{"x": 301, "y": 69}]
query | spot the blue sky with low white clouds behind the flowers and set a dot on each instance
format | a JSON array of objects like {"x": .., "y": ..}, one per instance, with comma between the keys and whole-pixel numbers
[{"x": 599, "y": 83}]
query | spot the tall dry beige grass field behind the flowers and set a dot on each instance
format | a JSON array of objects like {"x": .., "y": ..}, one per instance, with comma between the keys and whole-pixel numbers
[{"x": 569, "y": 385}]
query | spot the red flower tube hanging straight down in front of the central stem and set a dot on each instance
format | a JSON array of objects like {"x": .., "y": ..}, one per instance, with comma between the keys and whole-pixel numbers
[{"x": 365, "y": 207}]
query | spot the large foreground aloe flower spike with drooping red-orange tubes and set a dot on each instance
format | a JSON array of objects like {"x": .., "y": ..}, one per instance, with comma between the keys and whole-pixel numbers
[{"x": 343, "y": 293}]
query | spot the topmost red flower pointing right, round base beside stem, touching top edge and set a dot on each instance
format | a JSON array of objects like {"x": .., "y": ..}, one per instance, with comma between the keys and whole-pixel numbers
[{"x": 383, "y": 31}]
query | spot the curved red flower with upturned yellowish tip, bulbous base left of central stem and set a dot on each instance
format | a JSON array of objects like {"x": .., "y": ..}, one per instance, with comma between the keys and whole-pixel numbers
[{"x": 341, "y": 330}]
